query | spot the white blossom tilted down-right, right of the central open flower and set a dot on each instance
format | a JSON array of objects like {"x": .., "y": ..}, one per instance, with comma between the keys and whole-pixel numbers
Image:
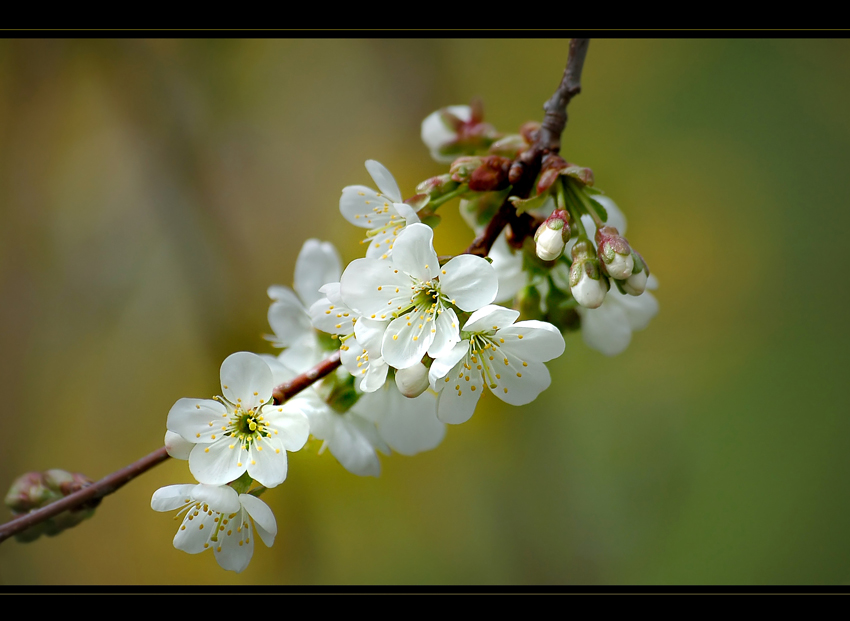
[{"x": 504, "y": 356}]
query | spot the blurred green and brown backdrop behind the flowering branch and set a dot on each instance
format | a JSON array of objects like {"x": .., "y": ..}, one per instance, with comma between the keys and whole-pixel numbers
[{"x": 150, "y": 192}]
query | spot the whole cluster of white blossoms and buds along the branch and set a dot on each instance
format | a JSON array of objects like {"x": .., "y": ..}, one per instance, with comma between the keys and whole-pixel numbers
[{"x": 420, "y": 337}]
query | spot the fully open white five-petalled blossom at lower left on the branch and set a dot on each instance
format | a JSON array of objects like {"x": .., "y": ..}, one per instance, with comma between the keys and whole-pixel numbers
[{"x": 242, "y": 430}]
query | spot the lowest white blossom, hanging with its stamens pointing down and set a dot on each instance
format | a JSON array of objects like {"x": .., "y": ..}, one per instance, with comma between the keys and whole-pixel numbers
[{"x": 217, "y": 517}]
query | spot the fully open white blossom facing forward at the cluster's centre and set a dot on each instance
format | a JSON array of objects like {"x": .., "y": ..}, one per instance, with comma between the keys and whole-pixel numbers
[{"x": 415, "y": 295}]
